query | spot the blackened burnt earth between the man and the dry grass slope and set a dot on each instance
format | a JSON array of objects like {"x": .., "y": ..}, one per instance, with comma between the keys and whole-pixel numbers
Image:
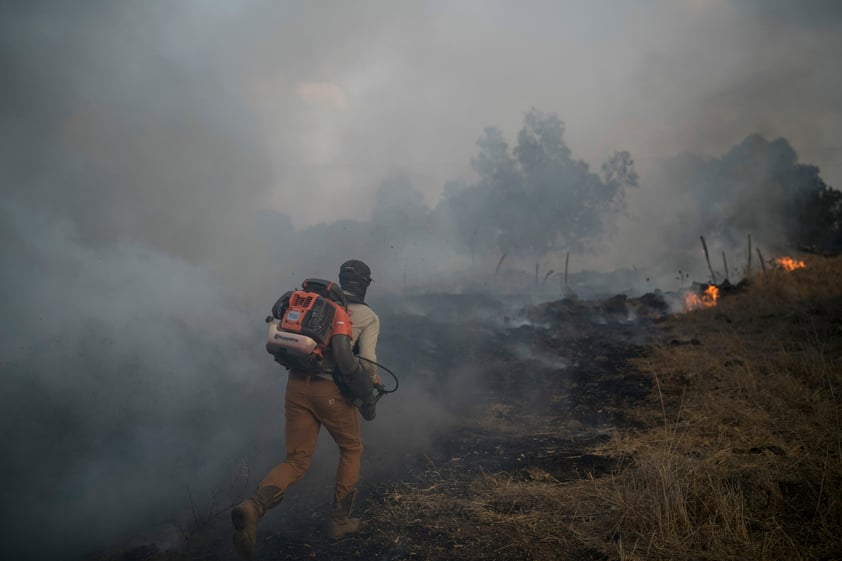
[{"x": 527, "y": 386}]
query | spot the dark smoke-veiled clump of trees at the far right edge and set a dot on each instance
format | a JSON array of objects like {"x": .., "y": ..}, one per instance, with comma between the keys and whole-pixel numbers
[{"x": 756, "y": 192}]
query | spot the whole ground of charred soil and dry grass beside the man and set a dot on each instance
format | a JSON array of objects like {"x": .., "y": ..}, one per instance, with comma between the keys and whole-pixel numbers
[{"x": 599, "y": 429}]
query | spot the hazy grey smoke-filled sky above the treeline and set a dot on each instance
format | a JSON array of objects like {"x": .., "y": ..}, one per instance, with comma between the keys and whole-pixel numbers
[{"x": 287, "y": 103}]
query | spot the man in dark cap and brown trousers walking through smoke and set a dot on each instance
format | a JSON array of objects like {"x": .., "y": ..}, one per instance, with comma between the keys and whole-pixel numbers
[{"x": 314, "y": 399}]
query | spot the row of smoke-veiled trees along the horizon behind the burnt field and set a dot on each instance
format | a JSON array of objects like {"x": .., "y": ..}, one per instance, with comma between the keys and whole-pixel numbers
[{"x": 537, "y": 221}]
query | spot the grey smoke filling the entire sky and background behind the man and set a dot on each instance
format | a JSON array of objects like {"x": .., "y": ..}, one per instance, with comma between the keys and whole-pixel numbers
[{"x": 168, "y": 169}]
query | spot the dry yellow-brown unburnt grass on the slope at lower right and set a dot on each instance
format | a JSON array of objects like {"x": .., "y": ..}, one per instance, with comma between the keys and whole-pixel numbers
[{"x": 742, "y": 458}]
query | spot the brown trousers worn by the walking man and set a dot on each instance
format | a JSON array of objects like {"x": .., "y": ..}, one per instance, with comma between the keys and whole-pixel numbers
[{"x": 310, "y": 403}]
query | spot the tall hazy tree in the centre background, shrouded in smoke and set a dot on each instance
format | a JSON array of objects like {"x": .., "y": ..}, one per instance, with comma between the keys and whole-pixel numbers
[{"x": 537, "y": 197}]
